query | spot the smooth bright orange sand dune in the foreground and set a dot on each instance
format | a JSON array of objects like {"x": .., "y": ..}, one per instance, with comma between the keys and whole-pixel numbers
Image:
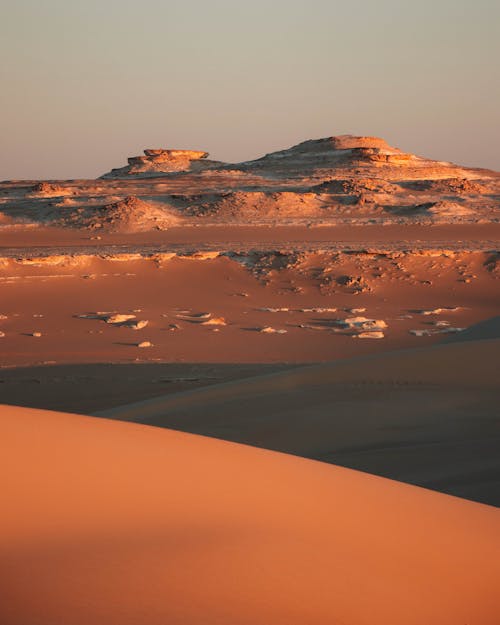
[{"x": 115, "y": 523}]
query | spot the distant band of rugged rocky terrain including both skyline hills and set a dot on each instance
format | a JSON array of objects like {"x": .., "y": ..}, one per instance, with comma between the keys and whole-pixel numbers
[{"x": 336, "y": 180}]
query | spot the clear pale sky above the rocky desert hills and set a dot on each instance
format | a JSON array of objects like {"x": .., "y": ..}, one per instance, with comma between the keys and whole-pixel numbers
[{"x": 84, "y": 84}]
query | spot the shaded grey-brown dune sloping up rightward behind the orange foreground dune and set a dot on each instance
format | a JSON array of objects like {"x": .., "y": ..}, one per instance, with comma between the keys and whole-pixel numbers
[{"x": 425, "y": 416}]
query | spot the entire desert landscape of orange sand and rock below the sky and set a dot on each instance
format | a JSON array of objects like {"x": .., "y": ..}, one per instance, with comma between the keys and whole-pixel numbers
[{"x": 289, "y": 368}]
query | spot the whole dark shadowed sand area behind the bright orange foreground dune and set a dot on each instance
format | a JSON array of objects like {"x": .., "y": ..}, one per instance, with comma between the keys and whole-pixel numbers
[{"x": 426, "y": 416}]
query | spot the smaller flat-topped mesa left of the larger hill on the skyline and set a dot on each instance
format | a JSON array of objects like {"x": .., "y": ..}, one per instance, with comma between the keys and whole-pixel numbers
[{"x": 158, "y": 161}]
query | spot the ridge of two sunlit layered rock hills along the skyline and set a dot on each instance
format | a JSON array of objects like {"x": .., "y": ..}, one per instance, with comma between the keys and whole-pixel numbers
[{"x": 316, "y": 160}]
